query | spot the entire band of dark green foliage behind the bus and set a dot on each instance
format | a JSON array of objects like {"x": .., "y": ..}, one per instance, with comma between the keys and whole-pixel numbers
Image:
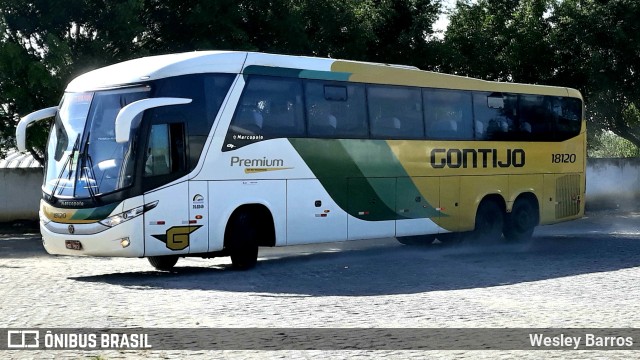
[{"x": 591, "y": 45}]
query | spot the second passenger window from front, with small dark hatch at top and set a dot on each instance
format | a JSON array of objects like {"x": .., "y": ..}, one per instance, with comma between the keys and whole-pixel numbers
[{"x": 336, "y": 109}]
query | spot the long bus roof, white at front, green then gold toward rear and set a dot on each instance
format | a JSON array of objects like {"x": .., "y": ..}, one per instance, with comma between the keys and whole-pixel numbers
[{"x": 156, "y": 67}]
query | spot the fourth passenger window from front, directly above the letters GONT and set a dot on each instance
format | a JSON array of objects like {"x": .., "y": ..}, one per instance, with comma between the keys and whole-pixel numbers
[{"x": 448, "y": 114}]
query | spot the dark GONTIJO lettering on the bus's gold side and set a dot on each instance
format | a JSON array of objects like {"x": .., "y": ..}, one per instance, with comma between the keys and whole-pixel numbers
[{"x": 477, "y": 158}]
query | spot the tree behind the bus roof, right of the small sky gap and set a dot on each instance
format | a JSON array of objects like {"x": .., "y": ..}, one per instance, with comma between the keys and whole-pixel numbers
[{"x": 503, "y": 40}]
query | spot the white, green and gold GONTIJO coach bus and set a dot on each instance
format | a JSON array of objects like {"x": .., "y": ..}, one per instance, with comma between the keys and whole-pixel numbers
[{"x": 216, "y": 153}]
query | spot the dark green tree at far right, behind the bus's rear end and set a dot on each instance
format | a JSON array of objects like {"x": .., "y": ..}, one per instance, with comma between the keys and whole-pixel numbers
[{"x": 598, "y": 43}]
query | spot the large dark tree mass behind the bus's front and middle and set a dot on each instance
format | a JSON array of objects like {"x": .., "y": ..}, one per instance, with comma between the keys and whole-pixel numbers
[{"x": 46, "y": 43}]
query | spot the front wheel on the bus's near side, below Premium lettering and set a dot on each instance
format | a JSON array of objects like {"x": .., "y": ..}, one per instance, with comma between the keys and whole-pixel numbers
[{"x": 243, "y": 241}]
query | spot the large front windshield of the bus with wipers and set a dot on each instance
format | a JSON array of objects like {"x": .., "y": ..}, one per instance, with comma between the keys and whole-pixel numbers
[{"x": 84, "y": 158}]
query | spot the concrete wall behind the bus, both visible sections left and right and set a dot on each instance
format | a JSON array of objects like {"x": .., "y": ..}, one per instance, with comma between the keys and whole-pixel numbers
[{"x": 611, "y": 184}]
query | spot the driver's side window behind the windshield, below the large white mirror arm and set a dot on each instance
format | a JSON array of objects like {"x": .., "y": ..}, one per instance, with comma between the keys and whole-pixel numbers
[{"x": 165, "y": 153}]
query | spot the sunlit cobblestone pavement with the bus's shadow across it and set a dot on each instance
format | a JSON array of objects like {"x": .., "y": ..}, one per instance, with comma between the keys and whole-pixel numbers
[{"x": 584, "y": 273}]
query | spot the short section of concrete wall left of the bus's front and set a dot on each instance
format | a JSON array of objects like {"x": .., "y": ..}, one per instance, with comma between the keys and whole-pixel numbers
[{"x": 20, "y": 192}]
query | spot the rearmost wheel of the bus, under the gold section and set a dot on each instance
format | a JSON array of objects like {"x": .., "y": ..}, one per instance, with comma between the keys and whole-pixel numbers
[{"x": 523, "y": 219}]
